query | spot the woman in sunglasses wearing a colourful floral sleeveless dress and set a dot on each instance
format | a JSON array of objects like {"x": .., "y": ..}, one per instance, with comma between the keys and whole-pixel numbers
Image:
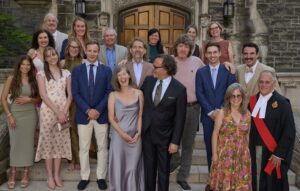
[{"x": 231, "y": 166}]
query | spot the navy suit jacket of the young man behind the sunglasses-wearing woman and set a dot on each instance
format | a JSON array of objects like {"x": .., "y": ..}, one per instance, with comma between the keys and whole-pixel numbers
[{"x": 209, "y": 97}]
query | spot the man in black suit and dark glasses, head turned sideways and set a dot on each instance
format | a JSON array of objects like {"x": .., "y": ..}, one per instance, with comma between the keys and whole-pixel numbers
[{"x": 163, "y": 121}]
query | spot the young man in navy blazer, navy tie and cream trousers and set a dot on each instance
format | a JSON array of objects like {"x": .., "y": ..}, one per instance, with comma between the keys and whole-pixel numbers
[{"x": 91, "y": 85}]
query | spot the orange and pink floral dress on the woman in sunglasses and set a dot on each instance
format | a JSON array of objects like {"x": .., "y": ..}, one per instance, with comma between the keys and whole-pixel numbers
[{"x": 232, "y": 170}]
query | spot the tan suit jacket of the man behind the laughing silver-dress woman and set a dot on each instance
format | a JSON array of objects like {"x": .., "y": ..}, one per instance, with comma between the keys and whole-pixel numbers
[{"x": 146, "y": 71}]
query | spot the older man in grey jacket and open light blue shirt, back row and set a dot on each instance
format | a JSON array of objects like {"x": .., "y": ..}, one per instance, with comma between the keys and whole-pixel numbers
[{"x": 111, "y": 53}]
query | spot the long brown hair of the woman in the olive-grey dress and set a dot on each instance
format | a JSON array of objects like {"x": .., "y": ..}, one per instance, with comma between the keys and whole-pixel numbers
[{"x": 16, "y": 85}]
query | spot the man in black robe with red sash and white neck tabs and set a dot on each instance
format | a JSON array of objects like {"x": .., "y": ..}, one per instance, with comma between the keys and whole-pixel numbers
[{"x": 272, "y": 135}]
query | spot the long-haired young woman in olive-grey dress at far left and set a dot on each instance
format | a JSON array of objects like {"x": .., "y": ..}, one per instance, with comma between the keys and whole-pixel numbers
[{"x": 21, "y": 118}]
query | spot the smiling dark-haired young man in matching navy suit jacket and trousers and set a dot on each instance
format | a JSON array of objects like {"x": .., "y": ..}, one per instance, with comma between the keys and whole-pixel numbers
[{"x": 211, "y": 84}]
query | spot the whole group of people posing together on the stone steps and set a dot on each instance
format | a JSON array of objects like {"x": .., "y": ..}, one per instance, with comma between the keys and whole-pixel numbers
[{"x": 150, "y": 101}]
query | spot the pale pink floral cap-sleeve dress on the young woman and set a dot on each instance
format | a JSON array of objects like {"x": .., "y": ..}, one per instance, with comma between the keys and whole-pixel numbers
[{"x": 53, "y": 143}]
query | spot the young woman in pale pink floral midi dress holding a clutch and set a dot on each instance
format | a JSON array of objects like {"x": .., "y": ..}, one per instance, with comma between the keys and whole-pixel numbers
[{"x": 55, "y": 90}]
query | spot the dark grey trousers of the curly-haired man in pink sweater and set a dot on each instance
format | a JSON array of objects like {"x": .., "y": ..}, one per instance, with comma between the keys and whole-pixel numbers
[{"x": 187, "y": 143}]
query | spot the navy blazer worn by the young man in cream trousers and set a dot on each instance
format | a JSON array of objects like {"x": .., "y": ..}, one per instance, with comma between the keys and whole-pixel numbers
[{"x": 81, "y": 96}]
